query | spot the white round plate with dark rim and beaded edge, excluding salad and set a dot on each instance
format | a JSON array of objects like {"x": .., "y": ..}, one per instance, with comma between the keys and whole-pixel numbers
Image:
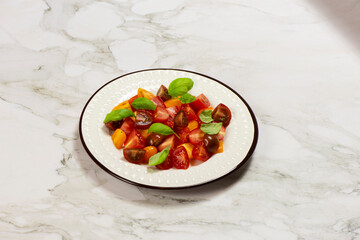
[{"x": 239, "y": 142}]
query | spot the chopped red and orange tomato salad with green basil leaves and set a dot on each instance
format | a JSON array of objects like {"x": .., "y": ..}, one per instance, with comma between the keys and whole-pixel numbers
[{"x": 170, "y": 130}]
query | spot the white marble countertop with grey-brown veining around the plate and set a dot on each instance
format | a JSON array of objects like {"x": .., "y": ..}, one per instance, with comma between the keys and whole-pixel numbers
[{"x": 296, "y": 62}]
